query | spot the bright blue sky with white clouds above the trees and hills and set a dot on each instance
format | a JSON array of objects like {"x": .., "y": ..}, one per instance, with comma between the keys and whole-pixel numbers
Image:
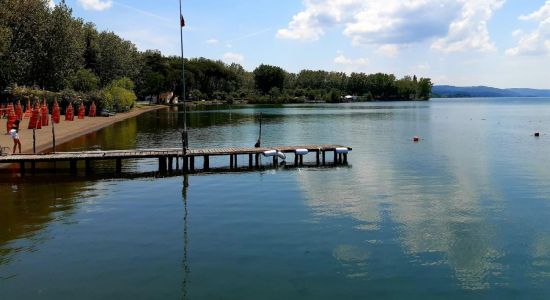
[{"x": 501, "y": 43}]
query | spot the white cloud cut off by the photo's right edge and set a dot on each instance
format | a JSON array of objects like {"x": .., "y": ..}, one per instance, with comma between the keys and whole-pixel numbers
[{"x": 536, "y": 42}]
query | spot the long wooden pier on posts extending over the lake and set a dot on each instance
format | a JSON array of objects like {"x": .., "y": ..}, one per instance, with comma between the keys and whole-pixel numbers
[{"x": 169, "y": 159}]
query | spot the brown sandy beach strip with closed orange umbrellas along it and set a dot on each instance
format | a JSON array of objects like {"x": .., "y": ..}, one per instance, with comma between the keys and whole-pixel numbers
[{"x": 64, "y": 131}]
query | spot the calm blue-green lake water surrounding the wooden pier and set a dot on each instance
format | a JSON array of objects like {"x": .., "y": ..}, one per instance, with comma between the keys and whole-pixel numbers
[{"x": 463, "y": 214}]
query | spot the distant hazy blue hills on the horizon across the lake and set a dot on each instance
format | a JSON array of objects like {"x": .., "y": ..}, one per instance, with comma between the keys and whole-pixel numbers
[{"x": 448, "y": 91}]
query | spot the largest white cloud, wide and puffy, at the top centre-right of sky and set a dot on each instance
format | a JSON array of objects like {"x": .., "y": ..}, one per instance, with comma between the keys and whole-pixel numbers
[{"x": 455, "y": 24}]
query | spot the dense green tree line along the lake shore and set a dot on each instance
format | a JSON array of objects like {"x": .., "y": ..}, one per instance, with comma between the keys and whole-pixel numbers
[{"x": 47, "y": 53}]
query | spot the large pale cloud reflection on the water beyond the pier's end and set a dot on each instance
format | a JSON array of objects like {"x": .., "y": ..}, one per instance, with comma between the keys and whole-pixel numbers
[{"x": 435, "y": 211}]
